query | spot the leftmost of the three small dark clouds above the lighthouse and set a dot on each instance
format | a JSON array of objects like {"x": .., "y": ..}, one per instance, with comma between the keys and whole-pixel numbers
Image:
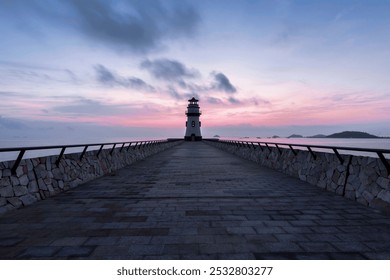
[{"x": 107, "y": 77}]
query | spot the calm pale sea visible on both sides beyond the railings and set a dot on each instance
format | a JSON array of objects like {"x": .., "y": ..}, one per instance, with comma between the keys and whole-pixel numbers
[{"x": 372, "y": 143}]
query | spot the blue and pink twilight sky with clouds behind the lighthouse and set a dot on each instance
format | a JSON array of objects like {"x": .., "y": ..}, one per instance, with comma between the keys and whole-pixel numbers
[{"x": 94, "y": 68}]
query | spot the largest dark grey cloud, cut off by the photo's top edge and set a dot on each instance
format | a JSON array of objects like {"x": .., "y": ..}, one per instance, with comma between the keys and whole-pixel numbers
[{"x": 140, "y": 26}]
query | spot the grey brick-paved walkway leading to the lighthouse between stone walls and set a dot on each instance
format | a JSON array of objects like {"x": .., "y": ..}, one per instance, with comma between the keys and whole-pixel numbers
[{"x": 195, "y": 202}]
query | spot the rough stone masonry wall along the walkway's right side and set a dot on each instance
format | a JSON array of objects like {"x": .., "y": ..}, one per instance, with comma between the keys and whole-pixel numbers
[{"x": 363, "y": 179}]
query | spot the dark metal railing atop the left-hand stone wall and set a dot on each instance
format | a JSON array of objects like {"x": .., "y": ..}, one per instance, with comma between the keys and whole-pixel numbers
[{"x": 123, "y": 146}]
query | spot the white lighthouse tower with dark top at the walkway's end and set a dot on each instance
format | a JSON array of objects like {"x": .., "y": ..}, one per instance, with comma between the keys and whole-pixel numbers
[{"x": 193, "y": 123}]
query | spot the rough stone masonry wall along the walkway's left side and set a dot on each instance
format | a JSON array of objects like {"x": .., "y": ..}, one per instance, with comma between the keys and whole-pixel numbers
[{"x": 39, "y": 178}]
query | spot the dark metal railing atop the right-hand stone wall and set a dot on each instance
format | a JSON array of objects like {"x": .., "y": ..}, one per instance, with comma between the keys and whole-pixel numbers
[{"x": 335, "y": 149}]
